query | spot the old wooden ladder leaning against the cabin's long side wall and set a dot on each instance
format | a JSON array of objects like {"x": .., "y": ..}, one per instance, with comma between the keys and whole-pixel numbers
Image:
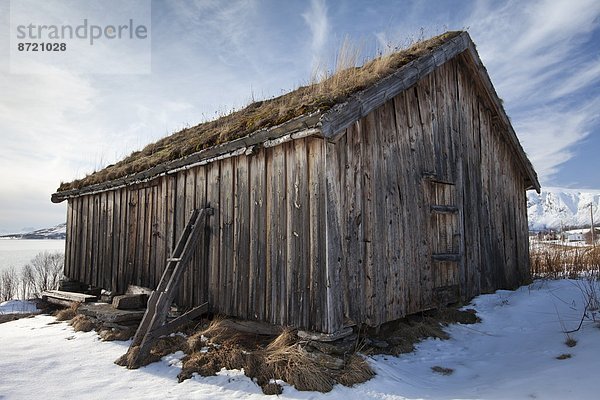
[{"x": 154, "y": 323}]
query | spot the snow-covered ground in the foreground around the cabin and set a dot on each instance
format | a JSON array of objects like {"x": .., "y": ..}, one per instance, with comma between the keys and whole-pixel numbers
[{"x": 511, "y": 354}]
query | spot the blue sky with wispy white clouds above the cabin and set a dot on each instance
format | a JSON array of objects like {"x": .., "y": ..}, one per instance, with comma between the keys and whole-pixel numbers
[{"x": 207, "y": 58}]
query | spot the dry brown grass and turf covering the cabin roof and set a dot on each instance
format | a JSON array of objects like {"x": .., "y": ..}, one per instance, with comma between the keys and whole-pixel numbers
[{"x": 319, "y": 96}]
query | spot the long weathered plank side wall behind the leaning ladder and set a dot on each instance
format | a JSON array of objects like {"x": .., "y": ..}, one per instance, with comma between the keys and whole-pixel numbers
[{"x": 266, "y": 257}]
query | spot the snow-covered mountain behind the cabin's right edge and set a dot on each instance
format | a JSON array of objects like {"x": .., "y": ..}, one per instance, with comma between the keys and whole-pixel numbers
[{"x": 556, "y": 207}]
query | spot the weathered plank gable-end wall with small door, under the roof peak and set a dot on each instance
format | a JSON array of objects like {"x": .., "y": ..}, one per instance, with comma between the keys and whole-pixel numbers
[{"x": 436, "y": 144}]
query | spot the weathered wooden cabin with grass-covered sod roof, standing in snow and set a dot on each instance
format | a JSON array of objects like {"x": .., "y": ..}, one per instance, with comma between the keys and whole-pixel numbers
[{"x": 405, "y": 192}]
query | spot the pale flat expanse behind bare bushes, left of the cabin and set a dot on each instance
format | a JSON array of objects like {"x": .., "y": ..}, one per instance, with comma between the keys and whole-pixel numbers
[{"x": 16, "y": 253}]
